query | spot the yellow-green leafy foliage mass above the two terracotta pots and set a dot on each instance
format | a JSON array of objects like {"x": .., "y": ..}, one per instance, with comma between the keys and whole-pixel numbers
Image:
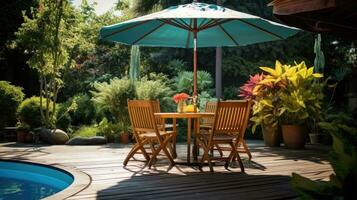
[{"x": 286, "y": 93}]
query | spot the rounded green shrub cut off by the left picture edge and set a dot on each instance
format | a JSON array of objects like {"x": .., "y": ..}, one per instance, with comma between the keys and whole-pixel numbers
[{"x": 10, "y": 98}]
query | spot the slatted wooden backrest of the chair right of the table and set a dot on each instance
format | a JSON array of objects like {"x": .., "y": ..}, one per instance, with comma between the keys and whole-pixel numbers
[{"x": 232, "y": 117}]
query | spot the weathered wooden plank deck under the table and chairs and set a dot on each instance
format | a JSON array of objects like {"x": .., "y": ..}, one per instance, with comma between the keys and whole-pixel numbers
[{"x": 267, "y": 175}]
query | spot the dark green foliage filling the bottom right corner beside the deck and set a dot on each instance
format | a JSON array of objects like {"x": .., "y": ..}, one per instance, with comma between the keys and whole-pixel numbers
[{"x": 343, "y": 159}]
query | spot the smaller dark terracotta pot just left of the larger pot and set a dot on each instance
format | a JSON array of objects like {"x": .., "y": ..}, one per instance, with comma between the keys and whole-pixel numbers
[{"x": 271, "y": 135}]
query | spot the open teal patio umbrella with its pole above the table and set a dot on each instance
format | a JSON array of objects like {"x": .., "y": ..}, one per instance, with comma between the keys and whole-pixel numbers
[{"x": 196, "y": 25}]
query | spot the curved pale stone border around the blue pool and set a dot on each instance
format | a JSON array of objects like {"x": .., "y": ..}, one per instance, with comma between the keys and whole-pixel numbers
[{"x": 81, "y": 180}]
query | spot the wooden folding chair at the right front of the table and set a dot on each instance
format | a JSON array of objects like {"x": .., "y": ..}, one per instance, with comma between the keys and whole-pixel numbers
[{"x": 230, "y": 121}]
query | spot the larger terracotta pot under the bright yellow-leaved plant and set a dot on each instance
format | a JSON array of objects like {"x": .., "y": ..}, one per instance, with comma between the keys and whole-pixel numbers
[{"x": 294, "y": 136}]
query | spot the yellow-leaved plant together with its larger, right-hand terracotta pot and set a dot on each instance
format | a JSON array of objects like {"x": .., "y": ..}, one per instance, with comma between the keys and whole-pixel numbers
[{"x": 300, "y": 102}]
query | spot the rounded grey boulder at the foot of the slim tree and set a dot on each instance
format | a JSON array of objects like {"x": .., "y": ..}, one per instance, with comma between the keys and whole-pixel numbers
[{"x": 55, "y": 136}]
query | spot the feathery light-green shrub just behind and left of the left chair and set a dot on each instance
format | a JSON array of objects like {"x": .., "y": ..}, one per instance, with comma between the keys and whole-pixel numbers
[{"x": 112, "y": 98}]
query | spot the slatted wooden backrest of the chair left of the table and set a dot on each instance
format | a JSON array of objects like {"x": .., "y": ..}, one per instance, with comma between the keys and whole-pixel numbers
[{"x": 141, "y": 115}]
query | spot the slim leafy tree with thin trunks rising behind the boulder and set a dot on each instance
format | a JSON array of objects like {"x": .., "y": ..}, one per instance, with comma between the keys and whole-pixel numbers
[{"x": 46, "y": 37}]
